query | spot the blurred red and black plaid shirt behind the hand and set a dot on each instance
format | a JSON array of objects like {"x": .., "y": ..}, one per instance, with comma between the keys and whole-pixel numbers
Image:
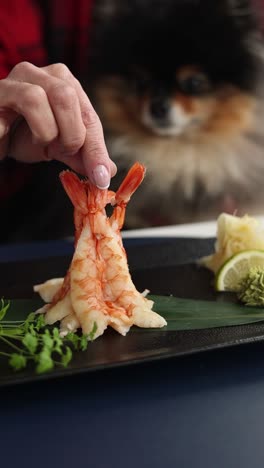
[{"x": 41, "y": 32}]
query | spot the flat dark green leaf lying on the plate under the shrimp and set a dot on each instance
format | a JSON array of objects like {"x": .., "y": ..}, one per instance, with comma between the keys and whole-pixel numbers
[{"x": 180, "y": 314}]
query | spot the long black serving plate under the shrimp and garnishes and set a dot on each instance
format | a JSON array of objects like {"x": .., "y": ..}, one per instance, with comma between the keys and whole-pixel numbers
[{"x": 164, "y": 267}]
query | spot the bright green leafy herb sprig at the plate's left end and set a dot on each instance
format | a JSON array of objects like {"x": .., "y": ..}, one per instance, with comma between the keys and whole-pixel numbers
[{"x": 31, "y": 341}]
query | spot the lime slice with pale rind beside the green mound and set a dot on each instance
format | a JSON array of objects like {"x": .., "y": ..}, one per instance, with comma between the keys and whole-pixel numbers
[{"x": 236, "y": 268}]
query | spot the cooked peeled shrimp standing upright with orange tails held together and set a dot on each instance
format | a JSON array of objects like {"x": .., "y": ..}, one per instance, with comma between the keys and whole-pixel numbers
[{"x": 98, "y": 288}]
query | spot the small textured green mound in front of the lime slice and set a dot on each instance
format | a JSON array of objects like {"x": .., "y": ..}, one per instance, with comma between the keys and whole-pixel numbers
[{"x": 251, "y": 287}]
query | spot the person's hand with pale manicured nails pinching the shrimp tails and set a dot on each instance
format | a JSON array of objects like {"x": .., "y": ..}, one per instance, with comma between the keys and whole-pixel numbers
[{"x": 45, "y": 114}]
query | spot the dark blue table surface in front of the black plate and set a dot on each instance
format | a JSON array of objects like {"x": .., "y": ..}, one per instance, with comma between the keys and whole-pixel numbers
[{"x": 200, "y": 411}]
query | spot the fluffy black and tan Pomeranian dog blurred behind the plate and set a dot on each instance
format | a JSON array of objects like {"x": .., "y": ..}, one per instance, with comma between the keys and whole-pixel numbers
[{"x": 177, "y": 85}]
